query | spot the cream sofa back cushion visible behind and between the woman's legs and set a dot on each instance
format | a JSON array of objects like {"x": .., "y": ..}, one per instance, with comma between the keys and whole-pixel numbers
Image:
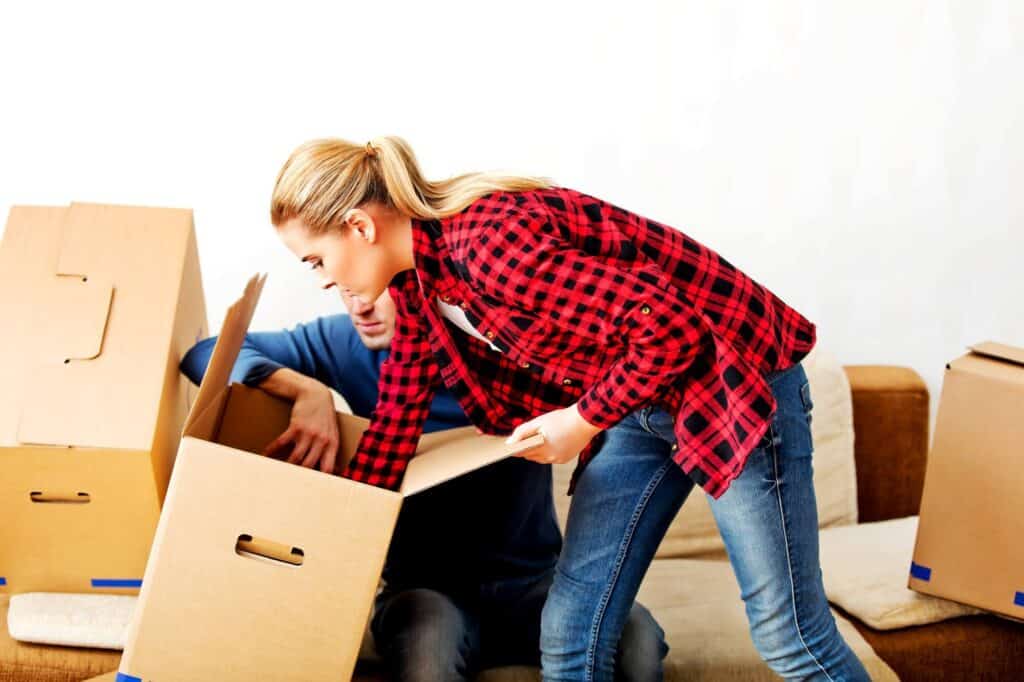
[{"x": 695, "y": 534}]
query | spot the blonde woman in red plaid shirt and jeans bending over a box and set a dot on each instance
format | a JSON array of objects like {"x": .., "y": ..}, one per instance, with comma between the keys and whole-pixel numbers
[{"x": 622, "y": 340}]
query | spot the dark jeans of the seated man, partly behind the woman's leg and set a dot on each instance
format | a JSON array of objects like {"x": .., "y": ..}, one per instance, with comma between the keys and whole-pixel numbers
[{"x": 428, "y": 635}]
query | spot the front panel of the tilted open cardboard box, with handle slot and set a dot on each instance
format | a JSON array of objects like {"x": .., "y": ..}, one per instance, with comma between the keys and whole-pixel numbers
[{"x": 207, "y": 612}]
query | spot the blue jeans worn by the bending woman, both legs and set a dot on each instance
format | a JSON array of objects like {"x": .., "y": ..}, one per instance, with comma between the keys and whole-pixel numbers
[{"x": 624, "y": 503}]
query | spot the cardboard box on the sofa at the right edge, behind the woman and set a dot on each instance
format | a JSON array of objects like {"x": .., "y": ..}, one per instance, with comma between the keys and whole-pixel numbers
[{"x": 969, "y": 545}]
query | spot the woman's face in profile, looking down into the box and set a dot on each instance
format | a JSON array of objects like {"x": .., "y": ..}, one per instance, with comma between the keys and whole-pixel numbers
[{"x": 351, "y": 259}]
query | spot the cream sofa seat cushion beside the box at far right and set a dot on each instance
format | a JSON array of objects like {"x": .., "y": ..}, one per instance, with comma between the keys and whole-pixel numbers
[{"x": 866, "y": 573}]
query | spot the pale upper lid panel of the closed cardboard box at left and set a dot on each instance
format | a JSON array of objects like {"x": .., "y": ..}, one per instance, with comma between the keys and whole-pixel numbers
[{"x": 90, "y": 294}]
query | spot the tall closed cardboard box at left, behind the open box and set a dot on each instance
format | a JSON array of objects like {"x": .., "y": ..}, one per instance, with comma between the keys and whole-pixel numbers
[{"x": 99, "y": 304}]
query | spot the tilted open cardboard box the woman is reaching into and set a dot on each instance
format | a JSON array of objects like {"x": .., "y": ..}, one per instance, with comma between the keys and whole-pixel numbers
[{"x": 263, "y": 570}]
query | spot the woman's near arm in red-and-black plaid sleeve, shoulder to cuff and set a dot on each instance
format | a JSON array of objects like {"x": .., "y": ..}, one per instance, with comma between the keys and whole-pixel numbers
[{"x": 525, "y": 261}]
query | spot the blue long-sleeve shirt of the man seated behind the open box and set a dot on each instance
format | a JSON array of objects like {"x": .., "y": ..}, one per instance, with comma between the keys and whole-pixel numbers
[{"x": 494, "y": 524}]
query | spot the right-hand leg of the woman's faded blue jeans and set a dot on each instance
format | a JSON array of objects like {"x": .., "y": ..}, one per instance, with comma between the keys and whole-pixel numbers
[{"x": 769, "y": 520}]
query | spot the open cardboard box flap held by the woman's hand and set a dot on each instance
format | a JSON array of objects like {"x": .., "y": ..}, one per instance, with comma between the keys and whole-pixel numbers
[{"x": 443, "y": 456}]
